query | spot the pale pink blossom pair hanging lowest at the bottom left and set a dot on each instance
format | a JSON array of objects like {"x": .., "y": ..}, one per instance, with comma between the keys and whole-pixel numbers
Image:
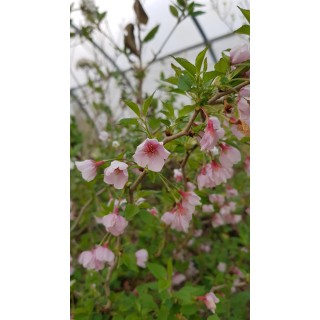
[{"x": 96, "y": 258}]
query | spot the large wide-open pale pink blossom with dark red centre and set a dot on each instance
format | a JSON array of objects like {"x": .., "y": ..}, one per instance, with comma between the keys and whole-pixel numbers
[{"x": 152, "y": 154}]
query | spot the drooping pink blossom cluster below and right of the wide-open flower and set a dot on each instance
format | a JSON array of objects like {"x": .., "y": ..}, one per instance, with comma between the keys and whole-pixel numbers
[{"x": 180, "y": 216}]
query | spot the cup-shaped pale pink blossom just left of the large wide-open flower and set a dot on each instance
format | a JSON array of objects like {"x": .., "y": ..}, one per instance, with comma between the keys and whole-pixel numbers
[{"x": 116, "y": 174}]
